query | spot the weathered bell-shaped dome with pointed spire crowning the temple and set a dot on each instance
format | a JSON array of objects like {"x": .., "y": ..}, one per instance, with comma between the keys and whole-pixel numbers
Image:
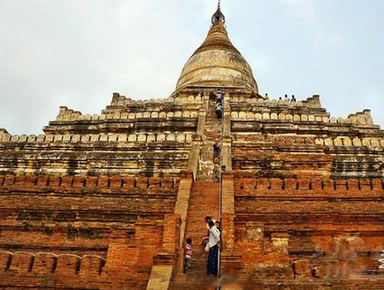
[{"x": 217, "y": 63}]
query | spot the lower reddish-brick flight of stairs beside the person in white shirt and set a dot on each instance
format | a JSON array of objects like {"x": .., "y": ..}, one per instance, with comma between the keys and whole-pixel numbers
[{"x": 204, "y": 201}]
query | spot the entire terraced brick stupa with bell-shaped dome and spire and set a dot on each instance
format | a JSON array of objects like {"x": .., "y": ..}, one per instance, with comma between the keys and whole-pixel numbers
[{"x": 106, "y": 201}]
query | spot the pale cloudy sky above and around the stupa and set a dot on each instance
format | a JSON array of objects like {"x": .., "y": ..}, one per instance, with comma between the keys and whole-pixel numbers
[{"x": 76, "y": 53}]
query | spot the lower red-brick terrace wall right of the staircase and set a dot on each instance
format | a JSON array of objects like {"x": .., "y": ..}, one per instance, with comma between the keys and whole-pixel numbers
[{"x": 310, "y": 228}]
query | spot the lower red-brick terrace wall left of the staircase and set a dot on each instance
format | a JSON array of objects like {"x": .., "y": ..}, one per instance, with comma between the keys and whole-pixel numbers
[{"x": 85, "y": 232}]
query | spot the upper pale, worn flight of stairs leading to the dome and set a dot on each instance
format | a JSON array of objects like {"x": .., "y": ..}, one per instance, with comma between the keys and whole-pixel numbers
[{"x": 212, "y": 134}]
